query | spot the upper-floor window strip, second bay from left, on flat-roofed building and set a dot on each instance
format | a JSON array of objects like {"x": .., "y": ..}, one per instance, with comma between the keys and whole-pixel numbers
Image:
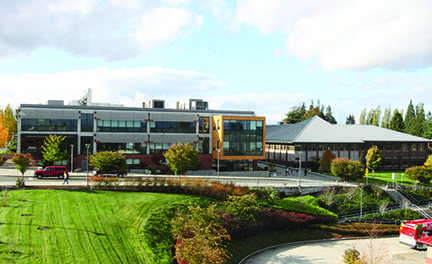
[{"x": 121, "y": 126}]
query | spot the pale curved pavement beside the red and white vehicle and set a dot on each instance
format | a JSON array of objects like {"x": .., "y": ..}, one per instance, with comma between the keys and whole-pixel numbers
[{"x": 382, "y": 250}]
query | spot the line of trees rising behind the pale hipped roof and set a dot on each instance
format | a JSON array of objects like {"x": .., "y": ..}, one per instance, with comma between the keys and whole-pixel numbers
[{"x": 413, "y": 121}]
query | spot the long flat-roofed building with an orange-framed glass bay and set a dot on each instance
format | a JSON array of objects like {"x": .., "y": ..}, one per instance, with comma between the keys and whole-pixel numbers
[{"x": 234, "y": 138}]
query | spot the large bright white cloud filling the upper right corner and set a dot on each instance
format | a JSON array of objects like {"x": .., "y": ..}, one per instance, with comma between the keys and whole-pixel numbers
[{"x": 339, "y": 34}]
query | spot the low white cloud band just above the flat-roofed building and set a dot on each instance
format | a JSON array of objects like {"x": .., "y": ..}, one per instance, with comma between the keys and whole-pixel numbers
[{"x": 119, "y": 86}]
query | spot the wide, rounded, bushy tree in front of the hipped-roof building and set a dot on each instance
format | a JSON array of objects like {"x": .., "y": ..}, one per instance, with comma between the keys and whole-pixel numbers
[{"x": 347, "y": 170}]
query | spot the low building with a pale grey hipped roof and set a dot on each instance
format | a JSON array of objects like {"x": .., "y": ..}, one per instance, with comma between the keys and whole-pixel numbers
[{"x": 308, "y": 140}]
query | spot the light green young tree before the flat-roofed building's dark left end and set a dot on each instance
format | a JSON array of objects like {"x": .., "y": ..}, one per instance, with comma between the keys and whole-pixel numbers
[{"x": 51, "y": 149}]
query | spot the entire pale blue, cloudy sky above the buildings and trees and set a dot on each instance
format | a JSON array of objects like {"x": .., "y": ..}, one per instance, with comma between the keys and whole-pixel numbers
[{"x": 265, "y": 56}]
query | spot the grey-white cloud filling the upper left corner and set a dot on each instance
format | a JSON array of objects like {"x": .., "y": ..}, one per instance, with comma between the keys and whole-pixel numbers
[{"x": 110, "y": 29}]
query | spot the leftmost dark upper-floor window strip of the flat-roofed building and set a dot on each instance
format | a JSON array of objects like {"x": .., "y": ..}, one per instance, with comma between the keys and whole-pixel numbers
[{"x": 30, "y": 124}]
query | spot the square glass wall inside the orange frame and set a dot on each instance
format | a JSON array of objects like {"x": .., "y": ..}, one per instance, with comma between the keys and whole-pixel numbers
[{"x": 243, "y": 138}]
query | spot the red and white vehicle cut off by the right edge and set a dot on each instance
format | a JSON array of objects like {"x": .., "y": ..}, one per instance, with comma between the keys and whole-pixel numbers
[{"x": 412, "y": 231}]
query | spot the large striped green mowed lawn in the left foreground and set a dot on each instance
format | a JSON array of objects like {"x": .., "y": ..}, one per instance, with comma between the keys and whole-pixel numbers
[{"x": 57, "y": 226}]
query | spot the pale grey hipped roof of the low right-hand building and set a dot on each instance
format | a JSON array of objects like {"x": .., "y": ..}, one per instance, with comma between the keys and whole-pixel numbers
[{"x": 317, "y": 130}]
